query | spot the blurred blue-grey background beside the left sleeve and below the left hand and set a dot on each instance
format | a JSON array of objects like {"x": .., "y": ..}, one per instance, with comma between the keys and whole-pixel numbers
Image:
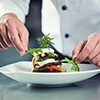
[{"x": 33, "y": 24}]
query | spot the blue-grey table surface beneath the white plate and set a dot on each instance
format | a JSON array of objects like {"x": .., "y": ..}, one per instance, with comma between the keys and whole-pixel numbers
[{"x": 85, "y": 90}]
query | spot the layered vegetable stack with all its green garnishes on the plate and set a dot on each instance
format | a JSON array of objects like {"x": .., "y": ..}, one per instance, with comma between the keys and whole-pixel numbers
[{"x": 44, "y": 58}]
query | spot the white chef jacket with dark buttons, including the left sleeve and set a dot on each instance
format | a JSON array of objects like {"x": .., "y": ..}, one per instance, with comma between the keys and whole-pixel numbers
[{"x": 67, "y": 21}]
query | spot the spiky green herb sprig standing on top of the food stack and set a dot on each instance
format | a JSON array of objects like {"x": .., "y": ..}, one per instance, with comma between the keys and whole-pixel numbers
[{"x": 45, "y": 41}]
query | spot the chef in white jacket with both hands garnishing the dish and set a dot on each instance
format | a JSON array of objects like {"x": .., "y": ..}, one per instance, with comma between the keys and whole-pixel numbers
[{"x": 74, "y": 25}]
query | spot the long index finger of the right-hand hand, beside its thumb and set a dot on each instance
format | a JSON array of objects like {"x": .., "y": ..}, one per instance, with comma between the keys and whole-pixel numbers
[{"x": 88, "y": 48}]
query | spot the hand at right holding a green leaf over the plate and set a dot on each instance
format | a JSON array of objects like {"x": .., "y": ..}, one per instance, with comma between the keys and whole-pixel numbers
[{"x": 88, "y": 49}]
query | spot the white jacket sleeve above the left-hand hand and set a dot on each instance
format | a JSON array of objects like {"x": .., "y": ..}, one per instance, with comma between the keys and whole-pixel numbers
[{"x": 18, "y": 7}]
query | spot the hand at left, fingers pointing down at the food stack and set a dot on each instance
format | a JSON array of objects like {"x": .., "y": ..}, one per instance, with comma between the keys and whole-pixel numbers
[{"x": 13, "y": 33}]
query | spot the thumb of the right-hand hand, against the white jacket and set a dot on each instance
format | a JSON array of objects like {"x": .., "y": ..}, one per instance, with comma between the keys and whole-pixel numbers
[{"x": 78, "y": 48}]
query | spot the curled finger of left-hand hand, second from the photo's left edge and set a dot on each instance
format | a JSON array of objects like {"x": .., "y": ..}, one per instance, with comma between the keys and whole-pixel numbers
[{"x": 4, "y": 35}]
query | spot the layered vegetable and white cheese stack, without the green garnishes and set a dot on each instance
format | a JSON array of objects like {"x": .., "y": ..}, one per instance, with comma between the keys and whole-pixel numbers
[{"x": 45, "y": 62}]
